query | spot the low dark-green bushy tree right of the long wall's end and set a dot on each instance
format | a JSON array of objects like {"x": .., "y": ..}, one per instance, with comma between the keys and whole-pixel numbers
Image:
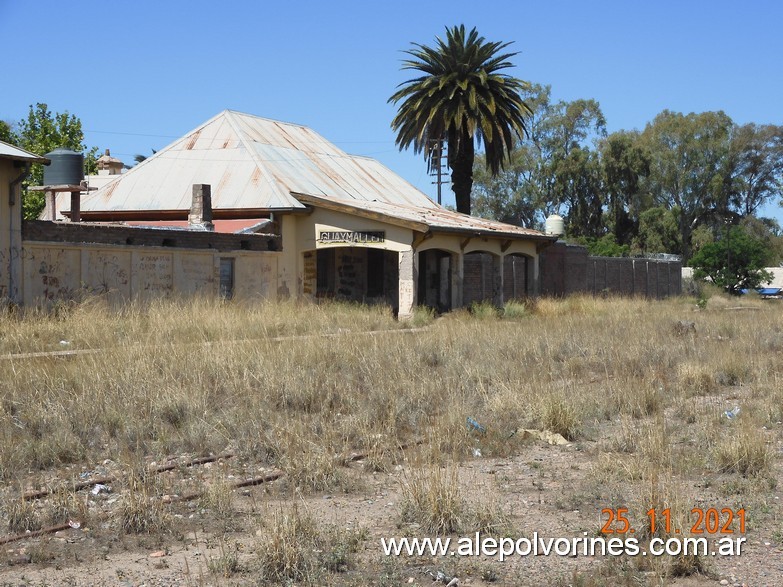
[{"x": 735, "y": 262}]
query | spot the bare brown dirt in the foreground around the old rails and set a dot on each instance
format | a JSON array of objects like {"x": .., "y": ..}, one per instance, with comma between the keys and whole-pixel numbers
[{"x": 547, "y": 489}]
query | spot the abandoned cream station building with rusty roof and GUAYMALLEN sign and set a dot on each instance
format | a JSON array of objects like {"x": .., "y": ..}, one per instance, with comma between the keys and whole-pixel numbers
[{"x": 248, "y": 207}]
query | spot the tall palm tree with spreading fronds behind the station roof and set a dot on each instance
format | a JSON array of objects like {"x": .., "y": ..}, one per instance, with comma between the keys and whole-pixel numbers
[{"x": 461, "y": 98}]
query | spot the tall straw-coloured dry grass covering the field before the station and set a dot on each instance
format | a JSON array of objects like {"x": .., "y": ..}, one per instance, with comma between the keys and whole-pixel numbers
[{"x": 611, "y": 374}]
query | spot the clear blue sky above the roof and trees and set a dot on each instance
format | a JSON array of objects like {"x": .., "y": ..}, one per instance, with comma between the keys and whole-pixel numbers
[{"x": 142, "y": 73}]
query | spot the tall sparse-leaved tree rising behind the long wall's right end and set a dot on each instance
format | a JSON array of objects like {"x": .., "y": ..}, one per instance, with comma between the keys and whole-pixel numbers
[{"x": 688, "y": 170}]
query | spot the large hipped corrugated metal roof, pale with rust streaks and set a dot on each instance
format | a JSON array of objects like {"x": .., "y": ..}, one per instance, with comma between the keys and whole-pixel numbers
[{"x": 250, "y": 162}]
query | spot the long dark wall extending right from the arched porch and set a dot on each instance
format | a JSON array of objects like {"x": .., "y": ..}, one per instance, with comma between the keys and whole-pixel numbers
[{"x": 567, "y": 269}]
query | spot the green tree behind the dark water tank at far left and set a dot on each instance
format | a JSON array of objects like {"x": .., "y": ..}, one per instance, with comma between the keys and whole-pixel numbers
[{"x": 42, "y": 132}]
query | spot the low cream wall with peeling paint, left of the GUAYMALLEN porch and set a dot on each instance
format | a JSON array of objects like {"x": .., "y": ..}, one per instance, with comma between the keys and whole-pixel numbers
[{"x": 53, "y": 271}]
